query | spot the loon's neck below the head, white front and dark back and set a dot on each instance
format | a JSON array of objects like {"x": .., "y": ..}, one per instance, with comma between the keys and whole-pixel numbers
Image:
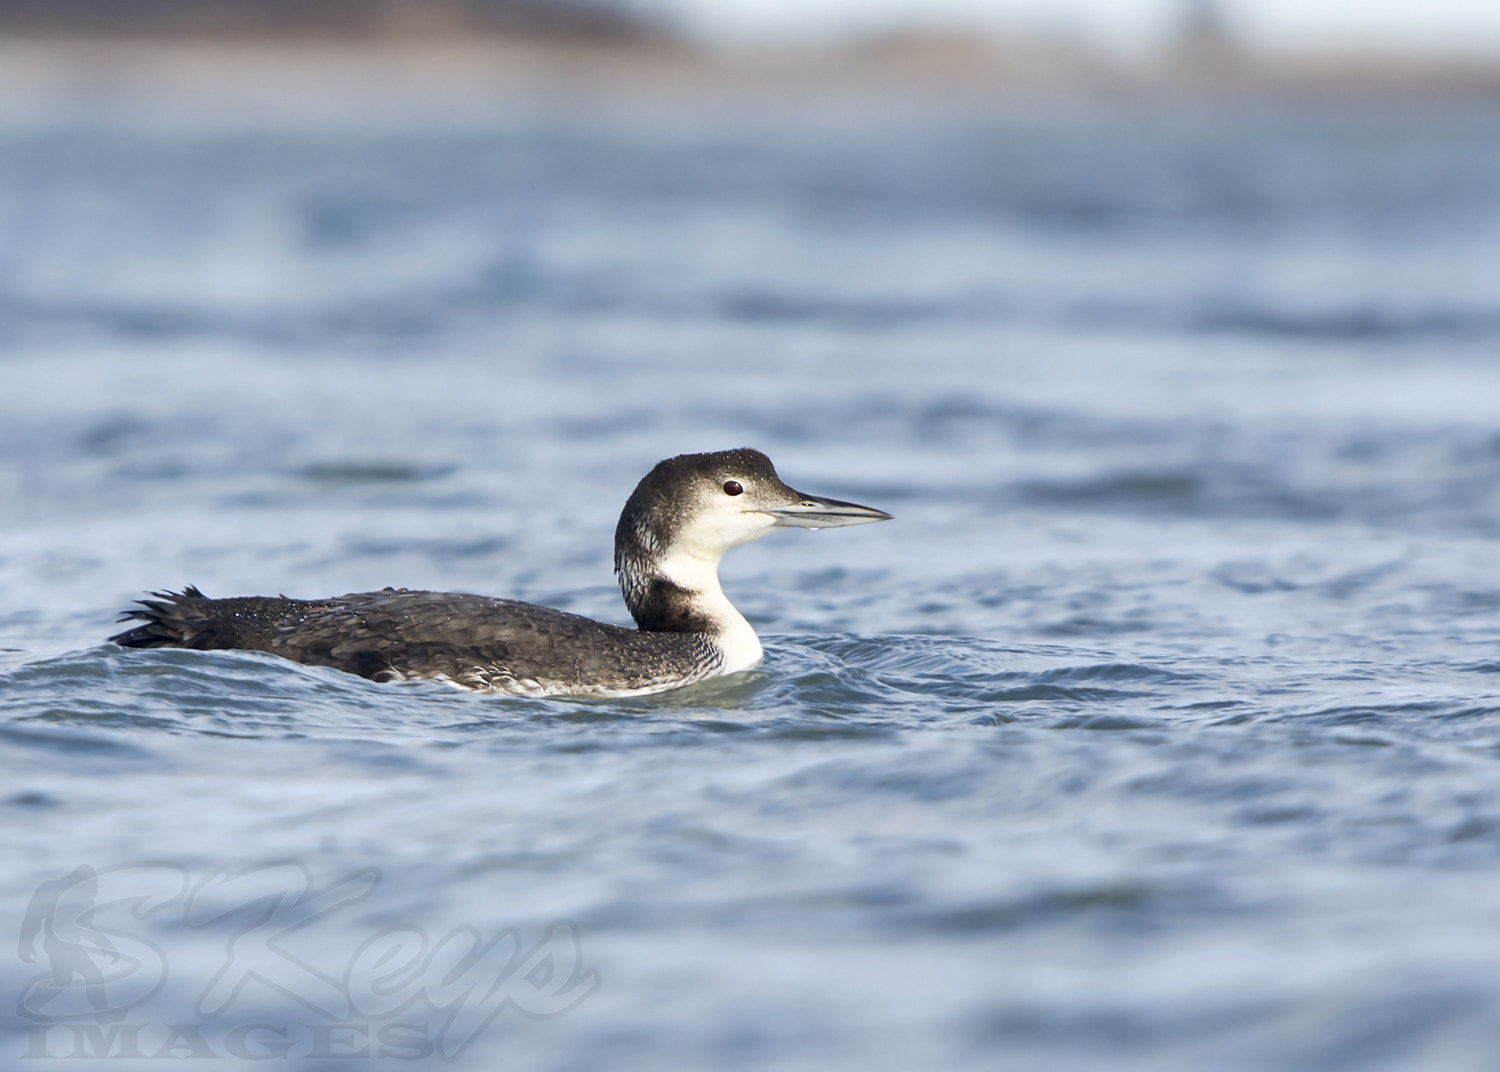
[{"x": 680, "y": 593}]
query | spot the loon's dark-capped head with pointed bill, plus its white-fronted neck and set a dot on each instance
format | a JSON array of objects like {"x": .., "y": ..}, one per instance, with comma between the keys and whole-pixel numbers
[{"x": 682, "y": 520}]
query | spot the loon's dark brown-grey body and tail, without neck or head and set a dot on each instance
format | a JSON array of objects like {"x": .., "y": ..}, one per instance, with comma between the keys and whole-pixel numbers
[{"x": 398, "y": 635}]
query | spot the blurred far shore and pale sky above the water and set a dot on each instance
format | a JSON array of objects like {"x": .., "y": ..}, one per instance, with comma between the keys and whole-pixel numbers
[{"x": 476, "y": 55}]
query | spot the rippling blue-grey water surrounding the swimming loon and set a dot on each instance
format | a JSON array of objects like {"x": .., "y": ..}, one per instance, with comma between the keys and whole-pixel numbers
[{"x": 1160, "y": 731}]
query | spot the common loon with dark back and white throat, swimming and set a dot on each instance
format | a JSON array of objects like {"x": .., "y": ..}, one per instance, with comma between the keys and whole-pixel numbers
[{"x": 676, "y": 527}]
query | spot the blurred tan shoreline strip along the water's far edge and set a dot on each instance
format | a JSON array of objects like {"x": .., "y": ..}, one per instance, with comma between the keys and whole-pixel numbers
[{"x": 380, "y": 80}]
